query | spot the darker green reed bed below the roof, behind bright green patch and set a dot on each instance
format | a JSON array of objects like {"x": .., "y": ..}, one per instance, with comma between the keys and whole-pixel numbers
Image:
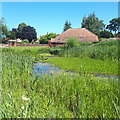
[{"x": 104, "y": 51}]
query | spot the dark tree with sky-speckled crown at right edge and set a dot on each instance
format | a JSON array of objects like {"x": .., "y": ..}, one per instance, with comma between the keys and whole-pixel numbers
[{"x": 114, "y": 25}]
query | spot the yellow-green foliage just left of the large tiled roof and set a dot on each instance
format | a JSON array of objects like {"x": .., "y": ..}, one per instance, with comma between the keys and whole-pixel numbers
[{"x": 45, "y": 38}]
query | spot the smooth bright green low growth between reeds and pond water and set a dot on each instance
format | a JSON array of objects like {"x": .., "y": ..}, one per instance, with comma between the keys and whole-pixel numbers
[{"x": 85, "y": 65}]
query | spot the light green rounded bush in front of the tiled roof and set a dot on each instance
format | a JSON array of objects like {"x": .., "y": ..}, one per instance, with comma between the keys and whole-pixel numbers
[{"x": 72, "y": 42}]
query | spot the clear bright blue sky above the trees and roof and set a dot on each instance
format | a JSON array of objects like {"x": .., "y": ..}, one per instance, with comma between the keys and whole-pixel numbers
[{"x": 51, "y": 16}]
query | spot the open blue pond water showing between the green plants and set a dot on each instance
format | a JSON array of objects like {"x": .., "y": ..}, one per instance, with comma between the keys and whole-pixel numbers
[{"x": 42, "y": 68}]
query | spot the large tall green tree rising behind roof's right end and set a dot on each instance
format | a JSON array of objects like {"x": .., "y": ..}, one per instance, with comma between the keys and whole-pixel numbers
[{"x": 93, "y": 24}]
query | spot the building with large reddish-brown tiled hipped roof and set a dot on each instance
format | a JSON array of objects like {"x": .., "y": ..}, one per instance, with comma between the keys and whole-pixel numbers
[{"x": 82, "y": 34}]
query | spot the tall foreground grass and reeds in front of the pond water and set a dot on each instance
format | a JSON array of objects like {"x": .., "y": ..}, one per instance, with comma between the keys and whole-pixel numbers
[{"x": 61, "y": 96}]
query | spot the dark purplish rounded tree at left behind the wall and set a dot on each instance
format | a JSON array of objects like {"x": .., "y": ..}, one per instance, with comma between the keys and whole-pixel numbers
[{"x": 29, "y": 33}]
